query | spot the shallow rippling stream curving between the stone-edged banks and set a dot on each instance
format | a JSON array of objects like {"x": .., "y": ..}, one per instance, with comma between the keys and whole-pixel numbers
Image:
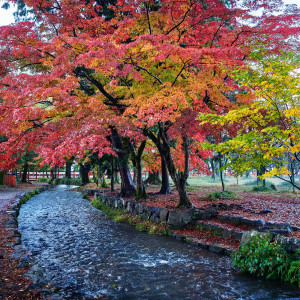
[{"x": 85, "y": 254}]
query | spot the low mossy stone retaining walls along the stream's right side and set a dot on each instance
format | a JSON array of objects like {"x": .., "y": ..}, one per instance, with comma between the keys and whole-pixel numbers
[{"x": 208, "y": 219}]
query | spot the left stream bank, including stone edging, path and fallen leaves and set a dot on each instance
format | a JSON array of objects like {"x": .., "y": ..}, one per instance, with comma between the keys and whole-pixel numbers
[{"x": 15, "y": 261}]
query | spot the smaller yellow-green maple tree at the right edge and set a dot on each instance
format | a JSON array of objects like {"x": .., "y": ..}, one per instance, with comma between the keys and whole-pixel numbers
[{"x": 269, "y": 138}]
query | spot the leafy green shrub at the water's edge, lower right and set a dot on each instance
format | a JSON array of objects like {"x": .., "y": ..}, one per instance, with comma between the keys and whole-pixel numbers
[{"x": 261, "y": 257}]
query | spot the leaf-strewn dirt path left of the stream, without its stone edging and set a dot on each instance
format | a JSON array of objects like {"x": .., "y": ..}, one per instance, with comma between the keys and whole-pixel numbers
[{"x": 13, "y": 283}]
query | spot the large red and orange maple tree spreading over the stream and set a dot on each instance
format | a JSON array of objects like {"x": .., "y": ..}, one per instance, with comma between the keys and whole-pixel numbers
[{"x": 149, "y": 68}]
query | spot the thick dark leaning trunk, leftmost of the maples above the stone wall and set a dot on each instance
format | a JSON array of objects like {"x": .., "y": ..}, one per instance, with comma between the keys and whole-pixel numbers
[{"x": 127, "y": 185}]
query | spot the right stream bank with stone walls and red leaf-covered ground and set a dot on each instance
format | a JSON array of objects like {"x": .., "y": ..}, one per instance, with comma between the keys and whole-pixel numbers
[{"x": 216, "y": 225}]
